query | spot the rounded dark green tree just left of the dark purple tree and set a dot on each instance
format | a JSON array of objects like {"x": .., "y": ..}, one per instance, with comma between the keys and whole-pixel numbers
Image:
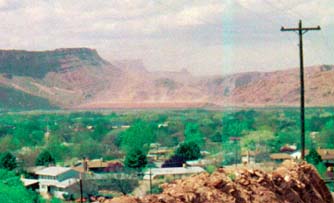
[{"x": 136, "y": 159}]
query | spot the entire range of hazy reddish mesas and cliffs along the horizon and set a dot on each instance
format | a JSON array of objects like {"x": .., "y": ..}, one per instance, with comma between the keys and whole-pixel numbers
[{"x": 80, "y": 78}]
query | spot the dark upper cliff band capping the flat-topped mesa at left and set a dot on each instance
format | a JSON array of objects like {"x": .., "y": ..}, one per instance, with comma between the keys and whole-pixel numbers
[{"x": 37, "y": 64}]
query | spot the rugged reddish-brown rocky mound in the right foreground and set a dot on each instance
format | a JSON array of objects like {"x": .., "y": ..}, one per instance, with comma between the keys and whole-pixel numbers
[{"x": 291, "y": 182}]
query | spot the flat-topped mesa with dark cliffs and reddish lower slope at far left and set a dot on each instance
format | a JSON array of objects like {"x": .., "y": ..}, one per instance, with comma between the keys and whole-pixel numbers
[{"x": 64, "y": 77}]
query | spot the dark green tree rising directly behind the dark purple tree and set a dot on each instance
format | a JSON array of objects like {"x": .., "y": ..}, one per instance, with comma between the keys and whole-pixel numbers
[{"x": 188, "y": 151}]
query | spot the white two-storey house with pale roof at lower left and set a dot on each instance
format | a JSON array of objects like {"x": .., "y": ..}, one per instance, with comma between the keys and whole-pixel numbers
[{"x": 57, "y": 180}]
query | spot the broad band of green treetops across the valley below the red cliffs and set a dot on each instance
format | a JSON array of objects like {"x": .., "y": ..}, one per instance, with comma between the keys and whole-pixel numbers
[{"x": 71, "y": 136}]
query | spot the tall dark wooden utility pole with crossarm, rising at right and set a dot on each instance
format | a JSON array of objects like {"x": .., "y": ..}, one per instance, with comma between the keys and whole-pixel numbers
[{"x": 300, "y": 30}]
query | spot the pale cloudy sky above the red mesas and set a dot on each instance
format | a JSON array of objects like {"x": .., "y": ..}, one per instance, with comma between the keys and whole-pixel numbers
[{"x": 203, "y": 36}]
